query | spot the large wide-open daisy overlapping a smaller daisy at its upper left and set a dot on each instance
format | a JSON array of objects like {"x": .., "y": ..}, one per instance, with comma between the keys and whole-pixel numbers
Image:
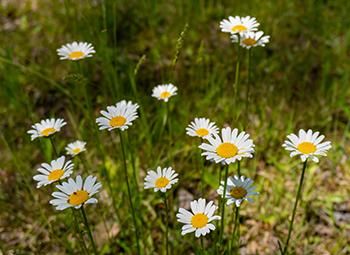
[{"x": 228, "y": 148}]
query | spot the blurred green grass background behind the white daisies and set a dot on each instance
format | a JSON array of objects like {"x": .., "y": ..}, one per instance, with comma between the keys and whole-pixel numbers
[{"x": 300, "y": 80}]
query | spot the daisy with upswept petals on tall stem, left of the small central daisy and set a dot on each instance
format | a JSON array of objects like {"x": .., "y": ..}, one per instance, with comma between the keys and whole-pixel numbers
[{"x": 119, "y": 116}]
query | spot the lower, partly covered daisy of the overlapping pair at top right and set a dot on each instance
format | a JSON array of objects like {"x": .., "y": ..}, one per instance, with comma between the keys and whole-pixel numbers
[{"x": 252, "y": 39}]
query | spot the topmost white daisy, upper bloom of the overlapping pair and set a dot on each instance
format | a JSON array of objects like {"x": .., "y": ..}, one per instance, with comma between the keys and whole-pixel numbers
[{"x": 239, "y": 25}]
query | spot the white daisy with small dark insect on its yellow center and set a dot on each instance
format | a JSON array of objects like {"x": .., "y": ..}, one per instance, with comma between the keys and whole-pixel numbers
[{"x": 75, "y": 193}]
